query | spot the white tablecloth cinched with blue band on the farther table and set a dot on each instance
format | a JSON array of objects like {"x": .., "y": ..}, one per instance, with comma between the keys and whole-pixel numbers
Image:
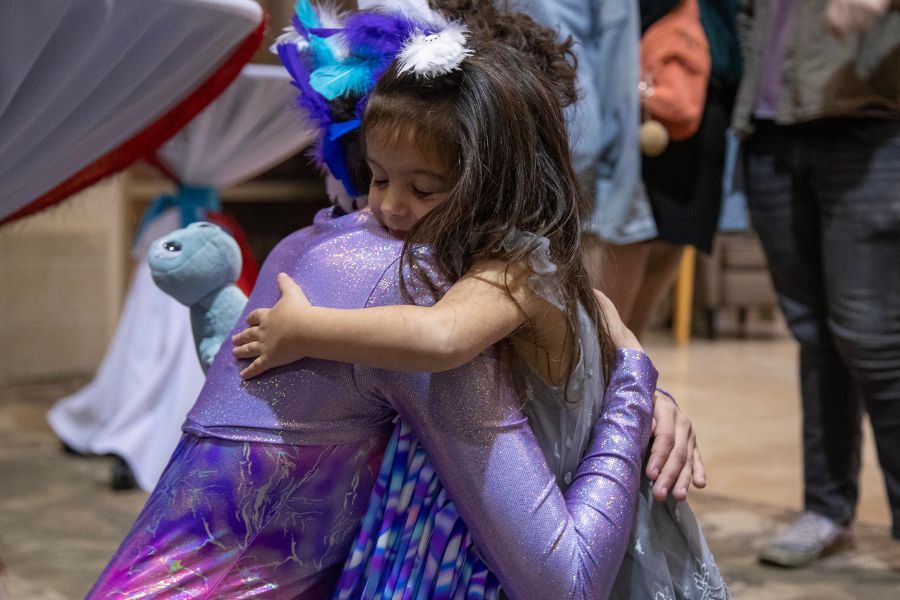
[{"x": 150, "y": 375}]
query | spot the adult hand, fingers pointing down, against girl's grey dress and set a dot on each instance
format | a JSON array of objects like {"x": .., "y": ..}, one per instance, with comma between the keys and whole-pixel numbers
[{"x": 674, "y": 462}]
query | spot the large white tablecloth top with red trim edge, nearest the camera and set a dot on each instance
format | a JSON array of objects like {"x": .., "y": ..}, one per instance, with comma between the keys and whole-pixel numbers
[{"x": 79, "y": 78}]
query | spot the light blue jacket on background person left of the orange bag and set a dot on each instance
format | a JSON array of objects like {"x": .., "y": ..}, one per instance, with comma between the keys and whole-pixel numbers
[{"x": 603, "y": 124}]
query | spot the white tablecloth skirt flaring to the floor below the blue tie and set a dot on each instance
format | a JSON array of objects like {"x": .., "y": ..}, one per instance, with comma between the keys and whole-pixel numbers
[{"x": 146, "y": 383}]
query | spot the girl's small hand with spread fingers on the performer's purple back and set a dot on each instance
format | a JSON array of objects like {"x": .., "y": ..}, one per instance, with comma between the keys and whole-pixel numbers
[{"x": 275, "y": 335}]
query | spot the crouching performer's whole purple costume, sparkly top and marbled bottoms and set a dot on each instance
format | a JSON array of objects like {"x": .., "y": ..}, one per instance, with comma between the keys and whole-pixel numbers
[{"x": 266, "y": 491}]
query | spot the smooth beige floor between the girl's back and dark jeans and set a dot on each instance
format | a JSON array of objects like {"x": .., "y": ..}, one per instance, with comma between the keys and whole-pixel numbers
[{"x": 743, "y": 397}]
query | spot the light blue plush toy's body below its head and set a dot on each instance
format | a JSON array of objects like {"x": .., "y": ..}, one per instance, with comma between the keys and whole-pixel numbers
[{"x": 212, "y": 325}]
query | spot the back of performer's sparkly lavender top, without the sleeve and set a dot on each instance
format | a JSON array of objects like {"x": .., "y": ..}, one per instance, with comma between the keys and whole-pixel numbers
[{"x": 337, "y": 262}]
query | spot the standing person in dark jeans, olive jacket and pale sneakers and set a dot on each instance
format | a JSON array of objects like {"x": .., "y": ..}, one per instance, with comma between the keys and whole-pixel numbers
[{"x": 819, "y": 106}]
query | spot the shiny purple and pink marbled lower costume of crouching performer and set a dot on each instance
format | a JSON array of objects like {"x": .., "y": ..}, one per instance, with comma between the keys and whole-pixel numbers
[{"x": 231, "y": 520}]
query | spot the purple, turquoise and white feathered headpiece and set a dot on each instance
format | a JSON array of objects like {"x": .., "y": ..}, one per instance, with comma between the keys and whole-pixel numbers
[{"x": 333, "y": 55}]
